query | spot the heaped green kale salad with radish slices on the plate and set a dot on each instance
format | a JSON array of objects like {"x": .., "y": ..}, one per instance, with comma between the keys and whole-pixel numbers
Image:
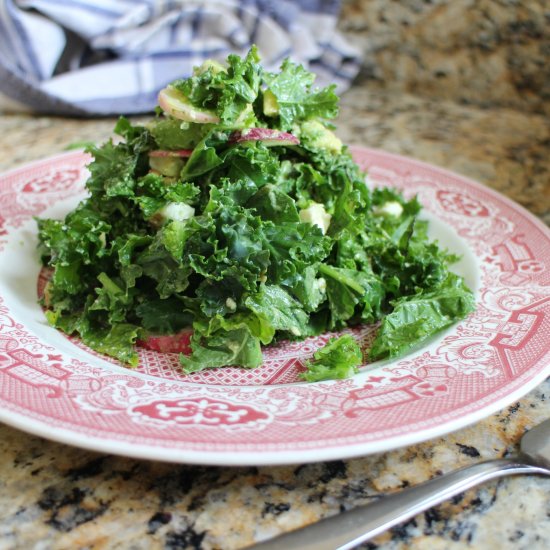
[{"x": 237, "y": 217}]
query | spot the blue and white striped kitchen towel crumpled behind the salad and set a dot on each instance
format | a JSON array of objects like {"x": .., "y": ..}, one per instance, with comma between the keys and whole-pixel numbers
[{"x": 100, "y": 57}]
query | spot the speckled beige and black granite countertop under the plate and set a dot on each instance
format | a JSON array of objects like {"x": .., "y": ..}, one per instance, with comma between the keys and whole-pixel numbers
[{"x": 55, "y": 496}]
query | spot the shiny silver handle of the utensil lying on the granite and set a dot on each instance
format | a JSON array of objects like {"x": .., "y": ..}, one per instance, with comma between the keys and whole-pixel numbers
[{"x": 350, "y": 528}]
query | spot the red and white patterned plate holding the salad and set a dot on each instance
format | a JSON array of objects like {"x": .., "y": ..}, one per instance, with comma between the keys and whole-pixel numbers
[{"x": 54, "y": 386}]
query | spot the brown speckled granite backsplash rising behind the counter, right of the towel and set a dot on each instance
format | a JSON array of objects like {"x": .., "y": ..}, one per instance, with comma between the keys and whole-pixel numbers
[{"x": 479, "y": 52}]
